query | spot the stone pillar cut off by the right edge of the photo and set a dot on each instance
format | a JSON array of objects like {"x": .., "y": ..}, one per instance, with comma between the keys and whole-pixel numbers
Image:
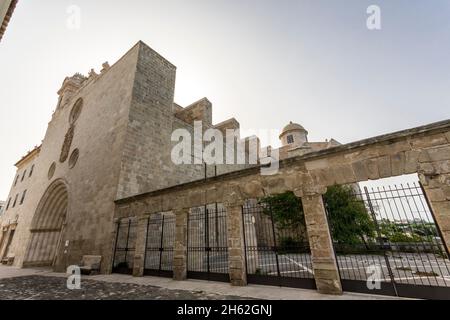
[{"x": 437, "y": 191}]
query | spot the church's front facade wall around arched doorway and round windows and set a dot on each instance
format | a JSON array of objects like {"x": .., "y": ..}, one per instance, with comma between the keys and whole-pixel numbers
[{"x": 92, "y": 183}]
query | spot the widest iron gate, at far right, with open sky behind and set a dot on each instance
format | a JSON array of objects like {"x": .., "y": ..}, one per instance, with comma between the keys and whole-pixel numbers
[{"x": 403, "y": 256}]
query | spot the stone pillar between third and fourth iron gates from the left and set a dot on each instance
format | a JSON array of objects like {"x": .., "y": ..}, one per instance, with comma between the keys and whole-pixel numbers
[{"x": 236, "y": 249}]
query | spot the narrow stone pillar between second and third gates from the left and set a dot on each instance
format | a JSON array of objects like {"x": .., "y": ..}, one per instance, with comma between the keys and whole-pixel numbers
[{"x": 180, "y": 248}]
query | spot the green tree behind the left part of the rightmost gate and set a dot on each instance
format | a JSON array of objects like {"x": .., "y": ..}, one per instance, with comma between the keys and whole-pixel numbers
[{"x": 349, "y": 219}]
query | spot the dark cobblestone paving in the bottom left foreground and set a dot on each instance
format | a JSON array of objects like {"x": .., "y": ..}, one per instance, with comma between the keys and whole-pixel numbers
[{"x": 45, "y": 287}]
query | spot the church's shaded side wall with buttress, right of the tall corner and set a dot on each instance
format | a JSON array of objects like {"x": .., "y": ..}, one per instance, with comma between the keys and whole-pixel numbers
[{"x": 146, "y": 158}]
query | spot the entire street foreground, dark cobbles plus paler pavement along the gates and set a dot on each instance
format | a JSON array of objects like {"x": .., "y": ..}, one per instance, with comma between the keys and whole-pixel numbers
[{"x": 42, "y": 283}]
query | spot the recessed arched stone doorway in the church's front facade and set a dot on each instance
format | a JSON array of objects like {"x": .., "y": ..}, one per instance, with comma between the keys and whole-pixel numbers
[{"x": 47, "y": 226}]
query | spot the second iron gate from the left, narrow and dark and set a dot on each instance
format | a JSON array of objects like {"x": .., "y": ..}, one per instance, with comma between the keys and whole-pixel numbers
[{"x": 159, "y": 245}]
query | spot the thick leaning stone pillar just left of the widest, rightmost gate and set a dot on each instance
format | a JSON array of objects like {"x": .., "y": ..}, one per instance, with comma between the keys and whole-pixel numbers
[{"x": 325, "y": 267}]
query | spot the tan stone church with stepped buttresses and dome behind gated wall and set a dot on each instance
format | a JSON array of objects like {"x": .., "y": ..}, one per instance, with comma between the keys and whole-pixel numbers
[{"x": 108, "y": 139}]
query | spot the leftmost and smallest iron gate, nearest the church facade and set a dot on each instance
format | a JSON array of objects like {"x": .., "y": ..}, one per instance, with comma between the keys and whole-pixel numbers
[{"x": 125, "y": 246}]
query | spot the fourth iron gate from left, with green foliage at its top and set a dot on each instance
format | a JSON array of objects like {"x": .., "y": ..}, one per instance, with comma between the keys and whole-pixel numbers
[{"x": 276, "y": 254}]
